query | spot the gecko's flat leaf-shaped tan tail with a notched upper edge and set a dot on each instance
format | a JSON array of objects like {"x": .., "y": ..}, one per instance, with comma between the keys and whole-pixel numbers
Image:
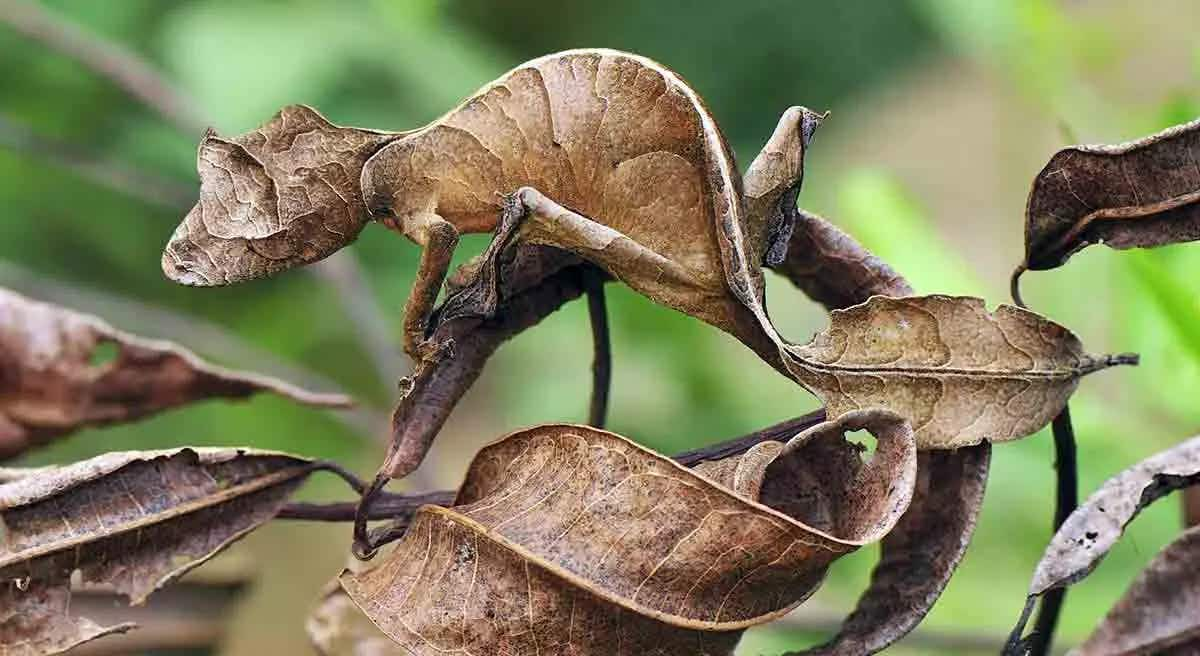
[{"x": 957, "y": 372}]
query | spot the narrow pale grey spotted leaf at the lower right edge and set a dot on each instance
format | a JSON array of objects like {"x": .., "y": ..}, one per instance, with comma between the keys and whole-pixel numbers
[{"x": 1088, "y": 535}]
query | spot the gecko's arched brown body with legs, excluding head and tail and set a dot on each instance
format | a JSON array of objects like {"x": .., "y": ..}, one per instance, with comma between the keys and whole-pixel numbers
[{"x": 607, "y": 152}]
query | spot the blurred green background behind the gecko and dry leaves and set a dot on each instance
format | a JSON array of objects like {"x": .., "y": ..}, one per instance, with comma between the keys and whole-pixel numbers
[{"x": 944, "y": 111}]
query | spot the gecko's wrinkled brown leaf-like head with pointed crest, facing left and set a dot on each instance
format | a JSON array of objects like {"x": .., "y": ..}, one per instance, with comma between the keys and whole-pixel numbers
[{"x": 281, "y": 196}]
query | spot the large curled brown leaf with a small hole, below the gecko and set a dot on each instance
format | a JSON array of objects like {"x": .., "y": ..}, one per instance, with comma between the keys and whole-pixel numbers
[{"x": 572, "y": 538}]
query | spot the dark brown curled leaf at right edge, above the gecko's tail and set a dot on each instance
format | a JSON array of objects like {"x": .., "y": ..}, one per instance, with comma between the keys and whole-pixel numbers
[{"x": 1138, "y": 195}]
